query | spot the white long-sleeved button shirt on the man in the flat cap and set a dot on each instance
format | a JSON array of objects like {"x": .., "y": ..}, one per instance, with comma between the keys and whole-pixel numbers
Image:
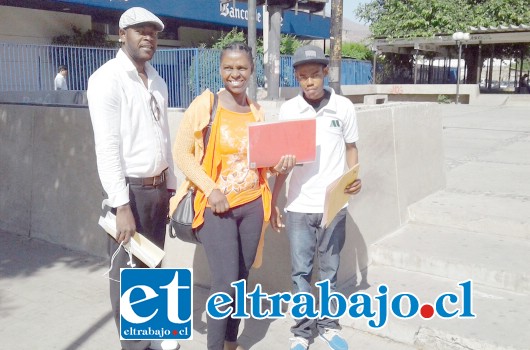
[{"x": 129, "y": 141}]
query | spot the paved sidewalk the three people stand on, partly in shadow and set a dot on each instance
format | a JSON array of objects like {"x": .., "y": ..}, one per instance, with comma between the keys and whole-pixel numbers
[{"x": 53, "y": 298}]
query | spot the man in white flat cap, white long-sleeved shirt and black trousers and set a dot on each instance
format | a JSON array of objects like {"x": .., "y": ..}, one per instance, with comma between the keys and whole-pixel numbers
[{"x": 128, "y": 107}]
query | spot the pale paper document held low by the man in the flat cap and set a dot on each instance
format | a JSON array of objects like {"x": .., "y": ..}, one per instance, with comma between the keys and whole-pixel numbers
[{"x": 139, "y": 245}]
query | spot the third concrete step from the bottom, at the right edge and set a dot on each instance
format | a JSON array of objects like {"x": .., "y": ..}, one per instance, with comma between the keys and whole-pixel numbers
[{"x": 478, "y": 212}]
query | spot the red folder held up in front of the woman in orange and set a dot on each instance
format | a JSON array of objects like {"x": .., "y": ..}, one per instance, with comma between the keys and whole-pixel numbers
[{"x": 269, "y": 141}]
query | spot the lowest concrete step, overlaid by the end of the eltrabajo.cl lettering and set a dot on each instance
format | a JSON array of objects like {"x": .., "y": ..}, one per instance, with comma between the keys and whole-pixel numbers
[{"x": 501, "y": 321}]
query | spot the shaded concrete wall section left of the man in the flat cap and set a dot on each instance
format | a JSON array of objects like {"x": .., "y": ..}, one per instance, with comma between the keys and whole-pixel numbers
[{"x": 51, "y": 189}]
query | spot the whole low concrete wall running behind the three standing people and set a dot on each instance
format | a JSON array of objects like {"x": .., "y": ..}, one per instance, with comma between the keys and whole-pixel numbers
[{"x": 51, "y": 189}]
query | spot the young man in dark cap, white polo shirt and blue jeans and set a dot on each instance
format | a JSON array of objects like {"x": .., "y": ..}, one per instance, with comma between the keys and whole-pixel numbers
[{"x": 335, "y": 139}]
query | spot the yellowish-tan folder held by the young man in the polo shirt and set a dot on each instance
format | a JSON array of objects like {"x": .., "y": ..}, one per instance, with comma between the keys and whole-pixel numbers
[{"x": 335, "y": 196}]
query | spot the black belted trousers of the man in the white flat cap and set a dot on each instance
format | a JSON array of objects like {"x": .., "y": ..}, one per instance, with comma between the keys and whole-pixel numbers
[{"x": 150, "y": 208}]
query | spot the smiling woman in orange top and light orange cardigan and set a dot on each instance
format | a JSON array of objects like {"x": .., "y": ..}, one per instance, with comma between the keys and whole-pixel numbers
[{"x": 232, "y": 201}]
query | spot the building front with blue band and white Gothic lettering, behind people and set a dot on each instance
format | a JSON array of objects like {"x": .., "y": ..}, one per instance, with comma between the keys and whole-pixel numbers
[{"x": 188, "y": 24}]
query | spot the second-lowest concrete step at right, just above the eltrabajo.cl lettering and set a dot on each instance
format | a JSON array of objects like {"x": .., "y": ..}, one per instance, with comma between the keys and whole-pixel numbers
[{"x": 500, "y": 262}]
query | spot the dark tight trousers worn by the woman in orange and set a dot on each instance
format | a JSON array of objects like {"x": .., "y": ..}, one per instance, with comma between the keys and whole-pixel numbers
[{"x": 230, "y": 242}]
